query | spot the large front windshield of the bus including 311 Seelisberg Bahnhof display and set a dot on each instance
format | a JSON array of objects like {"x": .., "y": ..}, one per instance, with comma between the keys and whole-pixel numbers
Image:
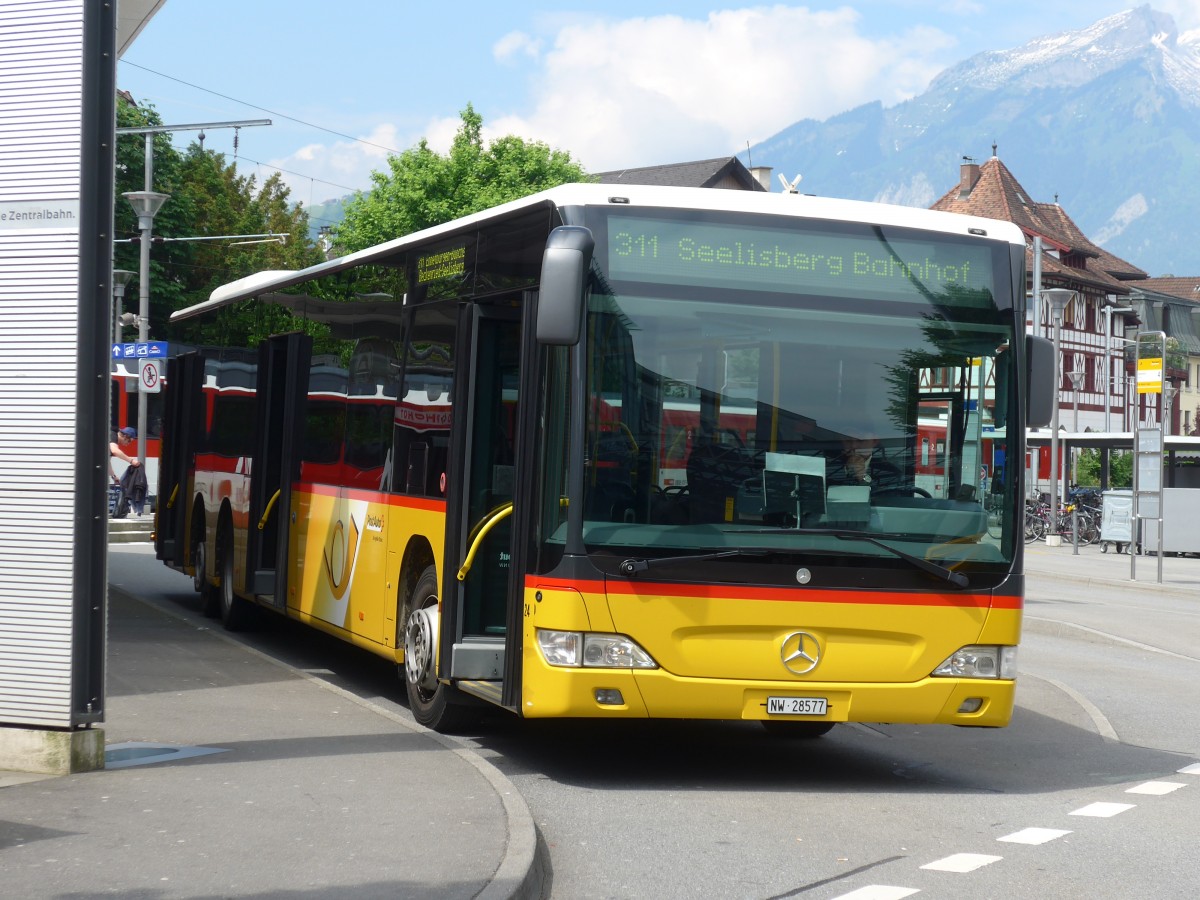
[{"x": 775, "y": 387}]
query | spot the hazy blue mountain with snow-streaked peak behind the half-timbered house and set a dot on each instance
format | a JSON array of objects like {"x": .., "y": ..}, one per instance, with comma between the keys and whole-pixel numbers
[{"x": 1103, "y": 119}]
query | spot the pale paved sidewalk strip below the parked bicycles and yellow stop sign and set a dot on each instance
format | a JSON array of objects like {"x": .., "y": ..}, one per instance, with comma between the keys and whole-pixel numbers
[{"x": 1091, "y": 566}]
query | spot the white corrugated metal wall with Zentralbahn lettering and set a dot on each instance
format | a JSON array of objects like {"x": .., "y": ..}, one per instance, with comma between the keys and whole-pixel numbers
[{"x": 41, "y": 110}]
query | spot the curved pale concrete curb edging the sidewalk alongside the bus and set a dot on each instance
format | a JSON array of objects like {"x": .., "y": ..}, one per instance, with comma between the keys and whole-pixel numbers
[{"x": 521, "y": 873}]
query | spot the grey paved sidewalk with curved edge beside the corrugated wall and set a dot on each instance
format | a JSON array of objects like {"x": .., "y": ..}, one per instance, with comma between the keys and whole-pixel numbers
[{"x": 274, "y": 784}]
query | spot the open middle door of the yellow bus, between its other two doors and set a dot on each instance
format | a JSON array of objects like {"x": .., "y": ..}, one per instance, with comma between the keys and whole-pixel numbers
[{"x": 283, "y": 392}]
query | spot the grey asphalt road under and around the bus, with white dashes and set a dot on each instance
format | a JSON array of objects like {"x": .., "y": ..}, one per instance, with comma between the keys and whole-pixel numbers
[{"x": 1082, "y": 796}]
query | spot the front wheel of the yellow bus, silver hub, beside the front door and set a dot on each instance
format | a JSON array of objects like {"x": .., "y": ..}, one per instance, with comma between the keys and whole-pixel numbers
[{"x": 431, "y": 701}]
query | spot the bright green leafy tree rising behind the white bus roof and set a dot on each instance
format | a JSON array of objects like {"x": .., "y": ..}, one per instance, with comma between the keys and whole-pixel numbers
[{"x": 424, "y": 189}]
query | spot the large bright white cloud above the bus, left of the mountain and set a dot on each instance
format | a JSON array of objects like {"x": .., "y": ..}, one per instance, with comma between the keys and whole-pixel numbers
[{"x": 652, "y": 91}]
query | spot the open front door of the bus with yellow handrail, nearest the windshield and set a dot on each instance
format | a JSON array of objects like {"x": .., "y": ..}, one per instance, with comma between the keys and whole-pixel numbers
[{"x": 479, "y": 539}]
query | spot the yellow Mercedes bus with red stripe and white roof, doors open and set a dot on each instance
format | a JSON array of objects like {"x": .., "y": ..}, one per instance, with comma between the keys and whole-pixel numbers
[{"x": 634, "y": 453}]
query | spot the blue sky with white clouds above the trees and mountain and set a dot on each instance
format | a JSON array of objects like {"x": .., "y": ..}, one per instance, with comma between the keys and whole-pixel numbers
[{"x": 617, "y": 85}]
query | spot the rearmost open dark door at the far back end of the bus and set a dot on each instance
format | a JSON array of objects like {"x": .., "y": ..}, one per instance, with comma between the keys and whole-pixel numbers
[{"x": 182, "y": 425}]
